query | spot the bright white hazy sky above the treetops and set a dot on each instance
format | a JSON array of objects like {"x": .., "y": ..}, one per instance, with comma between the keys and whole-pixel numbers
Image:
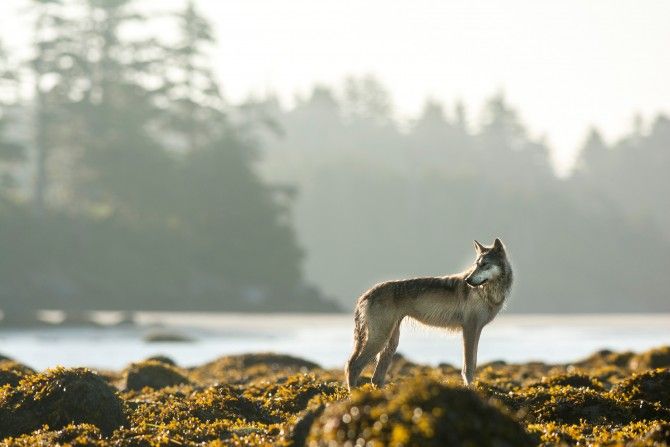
[{"x": 565, "y": 64}]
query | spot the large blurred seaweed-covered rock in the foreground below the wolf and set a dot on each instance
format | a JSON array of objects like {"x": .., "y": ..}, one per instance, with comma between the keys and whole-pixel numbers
[{"x": 417, "y": 412}]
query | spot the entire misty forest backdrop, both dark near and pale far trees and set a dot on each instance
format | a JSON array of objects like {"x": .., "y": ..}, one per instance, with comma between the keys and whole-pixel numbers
[{"x": 128, "y": 181}]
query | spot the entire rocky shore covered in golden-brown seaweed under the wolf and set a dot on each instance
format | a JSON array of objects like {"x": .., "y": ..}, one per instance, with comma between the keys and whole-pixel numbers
[{"x": 277, "y": 400}]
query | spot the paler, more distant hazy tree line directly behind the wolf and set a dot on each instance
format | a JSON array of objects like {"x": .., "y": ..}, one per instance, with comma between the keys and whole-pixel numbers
[{"x": 379, "y": 200}]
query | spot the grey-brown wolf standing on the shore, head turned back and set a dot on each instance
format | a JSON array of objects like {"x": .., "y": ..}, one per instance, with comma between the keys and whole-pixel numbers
[{"x": 465, "y": 302}]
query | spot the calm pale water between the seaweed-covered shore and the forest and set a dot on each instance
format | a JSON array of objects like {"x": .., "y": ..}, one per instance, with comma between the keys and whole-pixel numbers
[{"x": 327, "y": 339}]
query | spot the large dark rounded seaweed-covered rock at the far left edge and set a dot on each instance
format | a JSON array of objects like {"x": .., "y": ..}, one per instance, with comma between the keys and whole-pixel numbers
[{"x": 59, "y": 397}]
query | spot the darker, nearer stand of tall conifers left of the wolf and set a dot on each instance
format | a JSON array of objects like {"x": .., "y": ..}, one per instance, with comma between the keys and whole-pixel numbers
[{"x": 134, "y": 185}]
